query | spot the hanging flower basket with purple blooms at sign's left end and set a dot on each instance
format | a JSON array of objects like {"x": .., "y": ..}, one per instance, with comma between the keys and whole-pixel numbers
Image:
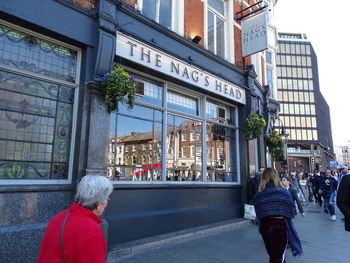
[{"x": 119, "y": 86}]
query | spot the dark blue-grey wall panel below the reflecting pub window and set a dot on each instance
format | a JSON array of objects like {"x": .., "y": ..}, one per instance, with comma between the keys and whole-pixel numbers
[{"x": 135, "y": 213}]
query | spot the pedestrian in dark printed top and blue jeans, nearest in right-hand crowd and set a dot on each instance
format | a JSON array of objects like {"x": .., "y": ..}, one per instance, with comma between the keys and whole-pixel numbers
[{"x": 328, "y": 189}]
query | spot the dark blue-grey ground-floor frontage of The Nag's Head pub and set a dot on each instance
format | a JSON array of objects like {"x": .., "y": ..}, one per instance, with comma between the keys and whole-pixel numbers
[{"x": 178, "y": 159}]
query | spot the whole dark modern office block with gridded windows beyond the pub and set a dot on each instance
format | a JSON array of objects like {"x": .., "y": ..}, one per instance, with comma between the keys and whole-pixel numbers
[{"x": 304, "y": 112}]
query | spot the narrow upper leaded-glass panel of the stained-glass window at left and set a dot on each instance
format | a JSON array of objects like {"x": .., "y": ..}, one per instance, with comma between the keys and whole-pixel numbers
[{"x": 21, "y": 50}]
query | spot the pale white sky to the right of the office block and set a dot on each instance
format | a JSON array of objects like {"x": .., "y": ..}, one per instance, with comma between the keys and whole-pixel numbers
[{"x": 327, "y": 26}]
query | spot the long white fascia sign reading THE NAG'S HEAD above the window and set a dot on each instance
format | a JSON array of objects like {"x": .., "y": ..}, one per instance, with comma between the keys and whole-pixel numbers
[{"x": 150, "y": 57}]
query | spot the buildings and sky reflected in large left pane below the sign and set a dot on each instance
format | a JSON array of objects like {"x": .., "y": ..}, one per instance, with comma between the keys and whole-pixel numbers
[{"x": 138, "y": 137}]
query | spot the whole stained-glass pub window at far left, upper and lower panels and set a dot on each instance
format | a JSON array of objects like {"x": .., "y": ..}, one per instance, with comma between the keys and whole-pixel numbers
[{"x": 37, "y": 81}]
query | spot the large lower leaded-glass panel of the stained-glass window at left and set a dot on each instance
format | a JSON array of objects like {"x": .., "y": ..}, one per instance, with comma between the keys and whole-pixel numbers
[{"x": 35, "y": 128}]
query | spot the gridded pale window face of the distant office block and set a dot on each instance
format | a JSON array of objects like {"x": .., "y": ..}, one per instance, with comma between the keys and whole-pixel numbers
[{"x": 296, "y": 92}]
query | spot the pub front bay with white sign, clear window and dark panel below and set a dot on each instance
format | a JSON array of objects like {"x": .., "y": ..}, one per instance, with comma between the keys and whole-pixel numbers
[{"x": 174, "y": 157}]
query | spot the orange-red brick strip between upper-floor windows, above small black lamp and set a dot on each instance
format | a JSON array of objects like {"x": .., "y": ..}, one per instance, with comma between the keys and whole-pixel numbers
[{"x": 194, "y": 19}]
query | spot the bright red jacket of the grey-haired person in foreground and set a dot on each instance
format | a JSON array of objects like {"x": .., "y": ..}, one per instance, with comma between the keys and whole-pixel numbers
[{"x": 84, "y": 241}]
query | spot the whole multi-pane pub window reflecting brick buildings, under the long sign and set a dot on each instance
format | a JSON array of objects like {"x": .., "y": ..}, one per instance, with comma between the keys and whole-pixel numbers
[{"x": 172, "y": 134}]
